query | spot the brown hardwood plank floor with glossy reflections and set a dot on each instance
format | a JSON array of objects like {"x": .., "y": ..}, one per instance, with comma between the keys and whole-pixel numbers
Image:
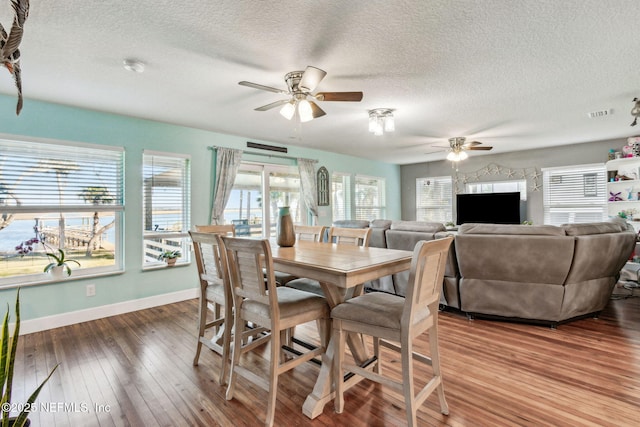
[{"x": 136, "y": 369}]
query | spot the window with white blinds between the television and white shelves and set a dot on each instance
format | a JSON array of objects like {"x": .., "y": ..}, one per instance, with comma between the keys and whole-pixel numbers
[{"x": 574, "y": 194}]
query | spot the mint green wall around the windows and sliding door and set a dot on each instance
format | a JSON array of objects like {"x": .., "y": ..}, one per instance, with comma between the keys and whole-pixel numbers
[{"x": 50, "y": 121}]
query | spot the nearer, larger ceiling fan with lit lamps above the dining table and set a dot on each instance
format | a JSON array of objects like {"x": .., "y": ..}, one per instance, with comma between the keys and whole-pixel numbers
[{"x": 300, "y": 84}]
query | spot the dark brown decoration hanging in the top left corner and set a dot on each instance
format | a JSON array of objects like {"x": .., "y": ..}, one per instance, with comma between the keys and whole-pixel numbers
[{"x": 10, "y": 43}]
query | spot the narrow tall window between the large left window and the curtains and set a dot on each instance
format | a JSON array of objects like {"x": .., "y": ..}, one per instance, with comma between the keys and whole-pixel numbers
[{"x": 166, "y": 206}]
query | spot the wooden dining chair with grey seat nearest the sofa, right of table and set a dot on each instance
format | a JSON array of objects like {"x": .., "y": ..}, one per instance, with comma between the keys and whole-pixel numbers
[{"x": 395, "y": 322}]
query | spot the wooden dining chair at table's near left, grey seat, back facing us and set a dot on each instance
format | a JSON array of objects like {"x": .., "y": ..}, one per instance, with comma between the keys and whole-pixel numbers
[{"x": 272, "y": 307}]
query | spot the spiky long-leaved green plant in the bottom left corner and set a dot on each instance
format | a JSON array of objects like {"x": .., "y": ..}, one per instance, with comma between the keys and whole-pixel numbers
[{"x": 8, "y": 347}]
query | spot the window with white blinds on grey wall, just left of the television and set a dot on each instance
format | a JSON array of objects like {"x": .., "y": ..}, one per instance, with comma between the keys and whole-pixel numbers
[{"x": 434, "y": 199}]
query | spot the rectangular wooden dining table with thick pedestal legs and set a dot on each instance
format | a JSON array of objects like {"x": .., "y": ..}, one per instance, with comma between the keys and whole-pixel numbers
[{"x": 340, "y": 269}]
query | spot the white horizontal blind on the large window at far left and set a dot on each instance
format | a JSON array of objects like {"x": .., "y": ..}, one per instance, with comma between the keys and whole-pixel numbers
[{"x": 39, "y": 177}]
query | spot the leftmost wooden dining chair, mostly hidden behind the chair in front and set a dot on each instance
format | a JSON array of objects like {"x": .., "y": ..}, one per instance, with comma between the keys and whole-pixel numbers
[{"x": 215, "y": 293}]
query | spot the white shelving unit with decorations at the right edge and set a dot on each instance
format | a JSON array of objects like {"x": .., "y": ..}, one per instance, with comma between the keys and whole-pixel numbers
[{"x": 629, "y": 166}]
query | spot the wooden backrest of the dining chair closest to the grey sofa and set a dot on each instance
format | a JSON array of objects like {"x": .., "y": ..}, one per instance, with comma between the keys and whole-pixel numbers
[{"x": 426, "y": 275}]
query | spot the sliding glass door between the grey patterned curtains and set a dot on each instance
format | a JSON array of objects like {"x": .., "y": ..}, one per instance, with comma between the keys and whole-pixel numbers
[{"x": 258, "y": 191}]
